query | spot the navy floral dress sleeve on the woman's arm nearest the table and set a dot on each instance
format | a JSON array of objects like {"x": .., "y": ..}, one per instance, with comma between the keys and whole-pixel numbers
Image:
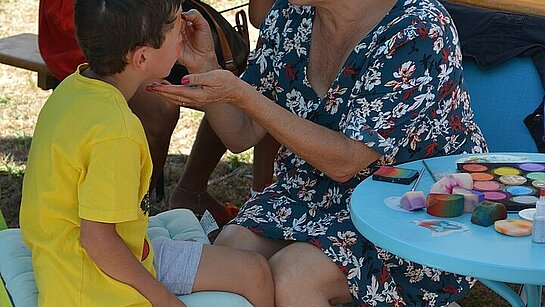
[{"x": 402, "y": 98}]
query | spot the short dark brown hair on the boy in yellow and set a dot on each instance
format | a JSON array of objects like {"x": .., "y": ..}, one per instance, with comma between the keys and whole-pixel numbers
[{"x": 107, "y": 30}]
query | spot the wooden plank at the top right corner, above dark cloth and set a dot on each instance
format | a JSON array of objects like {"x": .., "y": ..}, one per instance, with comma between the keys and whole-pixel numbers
[{"x": 527, "y": 7}]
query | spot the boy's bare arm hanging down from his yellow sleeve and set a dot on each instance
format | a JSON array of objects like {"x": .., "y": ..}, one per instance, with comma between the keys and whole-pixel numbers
[{"x": 111, "y": 255}]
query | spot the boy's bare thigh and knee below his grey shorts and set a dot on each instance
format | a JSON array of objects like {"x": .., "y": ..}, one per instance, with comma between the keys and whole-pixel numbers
[{"x": 238, "y": 271}]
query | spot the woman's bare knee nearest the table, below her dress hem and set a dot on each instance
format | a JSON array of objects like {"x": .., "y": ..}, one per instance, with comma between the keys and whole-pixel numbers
[{"x": 305, "y": 276}]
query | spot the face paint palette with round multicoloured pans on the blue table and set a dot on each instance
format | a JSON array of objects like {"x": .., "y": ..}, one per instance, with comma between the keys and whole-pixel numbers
[{"x": 516, "y": 185}]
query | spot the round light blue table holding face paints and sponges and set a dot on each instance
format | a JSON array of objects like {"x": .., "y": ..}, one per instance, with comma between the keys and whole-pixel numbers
[{"x": 480, "y": 252}]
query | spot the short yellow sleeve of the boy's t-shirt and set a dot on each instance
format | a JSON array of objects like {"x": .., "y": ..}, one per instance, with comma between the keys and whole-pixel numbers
[{"x": 110, "y": 183}]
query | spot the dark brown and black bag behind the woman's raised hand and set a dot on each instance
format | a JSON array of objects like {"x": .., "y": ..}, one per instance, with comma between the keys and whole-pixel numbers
[{"x": 231, "y": 43}]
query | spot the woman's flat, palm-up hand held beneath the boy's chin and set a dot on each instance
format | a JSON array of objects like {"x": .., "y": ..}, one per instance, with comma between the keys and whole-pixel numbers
[{"x": 199, "y": 90}]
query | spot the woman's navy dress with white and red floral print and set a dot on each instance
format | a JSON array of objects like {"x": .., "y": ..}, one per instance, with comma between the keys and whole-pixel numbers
[{"x": 401, "y": 93}]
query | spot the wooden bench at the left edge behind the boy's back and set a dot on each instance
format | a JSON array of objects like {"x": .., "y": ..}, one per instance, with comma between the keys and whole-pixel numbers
[{"x": 22, "y": 51}]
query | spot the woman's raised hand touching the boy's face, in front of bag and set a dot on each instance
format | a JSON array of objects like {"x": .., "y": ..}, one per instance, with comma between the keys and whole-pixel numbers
[{"x": 198, "y": 54}]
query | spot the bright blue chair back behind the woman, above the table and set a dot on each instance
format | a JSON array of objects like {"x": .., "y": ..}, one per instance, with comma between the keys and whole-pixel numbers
[{"x": 501, "y": 98}]
